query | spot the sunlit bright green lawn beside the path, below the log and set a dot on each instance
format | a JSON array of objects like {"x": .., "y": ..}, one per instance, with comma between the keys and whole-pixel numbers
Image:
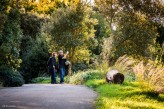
[{"x": 126, "y": 96}]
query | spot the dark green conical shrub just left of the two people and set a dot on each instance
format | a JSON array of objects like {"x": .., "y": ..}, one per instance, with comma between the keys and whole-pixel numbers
[{"x": 35, "y": 60}]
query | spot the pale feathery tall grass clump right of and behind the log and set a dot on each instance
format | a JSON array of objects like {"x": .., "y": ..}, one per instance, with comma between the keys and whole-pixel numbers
[{"x": 149, "y": 74}]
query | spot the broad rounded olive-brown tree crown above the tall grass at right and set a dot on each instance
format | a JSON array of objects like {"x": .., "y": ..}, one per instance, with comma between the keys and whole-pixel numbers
[{"x": 135, "y": 36}]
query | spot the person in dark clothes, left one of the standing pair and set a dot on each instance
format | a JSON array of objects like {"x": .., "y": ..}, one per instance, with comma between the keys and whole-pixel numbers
[{"x": 52, "y": 67}]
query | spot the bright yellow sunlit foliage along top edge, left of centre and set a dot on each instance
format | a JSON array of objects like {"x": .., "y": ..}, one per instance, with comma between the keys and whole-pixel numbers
[{"x": 45, "y": 6}]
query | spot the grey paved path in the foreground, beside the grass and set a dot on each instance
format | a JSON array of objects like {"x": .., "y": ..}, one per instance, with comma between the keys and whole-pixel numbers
[{"x": 47, "y": 96}]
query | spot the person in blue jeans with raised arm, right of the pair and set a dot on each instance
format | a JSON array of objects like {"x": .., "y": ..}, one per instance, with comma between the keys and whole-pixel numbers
[{"x": 62, "y": 60}]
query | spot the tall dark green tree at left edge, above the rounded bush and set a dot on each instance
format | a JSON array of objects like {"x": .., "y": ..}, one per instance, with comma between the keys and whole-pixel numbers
[{"x": 11, "y": 35}]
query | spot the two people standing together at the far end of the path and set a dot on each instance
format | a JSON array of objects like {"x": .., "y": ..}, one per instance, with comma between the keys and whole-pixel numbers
[{"x": 53, "y": 67}]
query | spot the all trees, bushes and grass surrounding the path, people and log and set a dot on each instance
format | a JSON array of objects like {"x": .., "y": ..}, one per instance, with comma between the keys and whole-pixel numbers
[{"x": 127, "y": 35}]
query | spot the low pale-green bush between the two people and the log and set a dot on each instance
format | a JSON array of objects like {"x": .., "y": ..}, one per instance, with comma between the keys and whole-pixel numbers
[{"x": 82, "y": 77}]
